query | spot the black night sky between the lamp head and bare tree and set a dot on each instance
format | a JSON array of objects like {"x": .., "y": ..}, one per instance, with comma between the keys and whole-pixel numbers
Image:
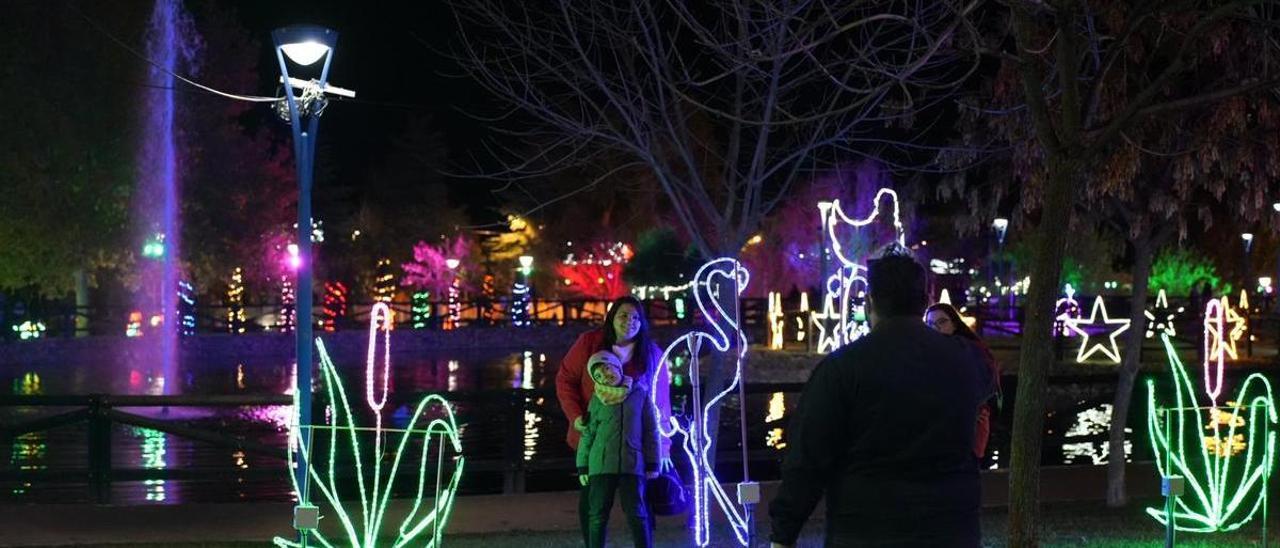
[{"x": 387, "y": 53}]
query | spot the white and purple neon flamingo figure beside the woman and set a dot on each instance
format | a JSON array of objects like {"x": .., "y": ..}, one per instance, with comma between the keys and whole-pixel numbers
[{"x": 696, "y": 431}]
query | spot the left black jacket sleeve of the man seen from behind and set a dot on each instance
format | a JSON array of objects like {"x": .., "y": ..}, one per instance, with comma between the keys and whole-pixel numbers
[{"x": 812, "y": 453}]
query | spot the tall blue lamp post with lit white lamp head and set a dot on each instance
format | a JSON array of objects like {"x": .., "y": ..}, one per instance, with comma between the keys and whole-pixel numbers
[{"x": 304, "y": 45}]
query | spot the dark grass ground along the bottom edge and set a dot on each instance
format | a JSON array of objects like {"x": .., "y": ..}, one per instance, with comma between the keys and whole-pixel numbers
[{"x": 1064, "y": 526}]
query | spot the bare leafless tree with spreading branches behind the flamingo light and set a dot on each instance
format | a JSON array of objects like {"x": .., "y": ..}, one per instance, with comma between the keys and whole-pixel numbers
[{"x": 724, "y": 106}]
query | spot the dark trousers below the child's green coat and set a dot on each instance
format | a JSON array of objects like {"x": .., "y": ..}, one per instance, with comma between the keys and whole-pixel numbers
[{"x": 597, "y": 503}]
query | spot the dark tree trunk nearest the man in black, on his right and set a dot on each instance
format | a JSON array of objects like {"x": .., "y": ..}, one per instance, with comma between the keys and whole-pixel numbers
[{"x": 1037, "y": 351}]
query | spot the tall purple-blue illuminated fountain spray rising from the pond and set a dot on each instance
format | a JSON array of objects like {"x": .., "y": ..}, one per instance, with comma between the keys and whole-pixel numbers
[{"x": 170, "y": 44}]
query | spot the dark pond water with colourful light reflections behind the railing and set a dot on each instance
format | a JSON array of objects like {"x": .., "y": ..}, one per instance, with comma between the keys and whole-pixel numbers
[{"x": 506, "y": 409}]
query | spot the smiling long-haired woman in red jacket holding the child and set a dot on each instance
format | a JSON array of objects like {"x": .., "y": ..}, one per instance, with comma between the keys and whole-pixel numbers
[{"x": 627, "y": 335}]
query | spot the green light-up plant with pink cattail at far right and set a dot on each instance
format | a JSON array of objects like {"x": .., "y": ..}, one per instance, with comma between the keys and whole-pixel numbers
[{"x": 1223, "y": 494}]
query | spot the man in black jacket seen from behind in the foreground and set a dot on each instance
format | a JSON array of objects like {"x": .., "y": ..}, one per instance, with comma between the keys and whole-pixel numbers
[{"x": 885, "y": 430}]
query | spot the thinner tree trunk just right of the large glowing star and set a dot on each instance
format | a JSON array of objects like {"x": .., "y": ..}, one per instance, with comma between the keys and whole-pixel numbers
[{"x": 1132, "y": 364}]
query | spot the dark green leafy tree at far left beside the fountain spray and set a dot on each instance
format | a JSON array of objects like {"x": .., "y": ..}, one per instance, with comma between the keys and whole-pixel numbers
[{"x": 68, "y": 145}]
